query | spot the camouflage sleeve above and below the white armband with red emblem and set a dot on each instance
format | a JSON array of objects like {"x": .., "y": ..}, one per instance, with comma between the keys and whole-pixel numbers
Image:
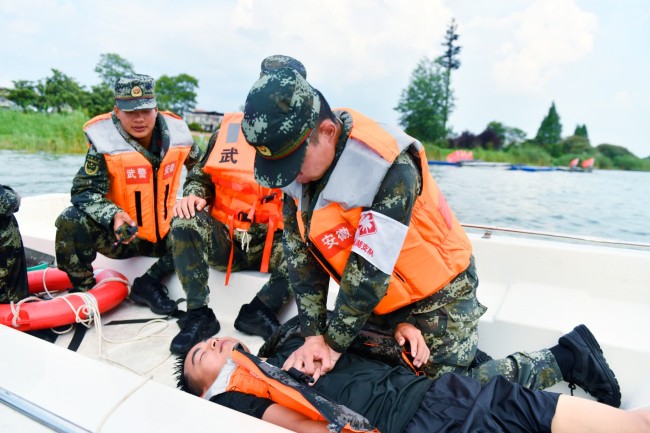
[{"x": 362, "y": 284}]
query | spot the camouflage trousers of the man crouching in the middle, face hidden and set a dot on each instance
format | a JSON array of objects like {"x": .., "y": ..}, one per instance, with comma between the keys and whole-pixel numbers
[{"x": 202, "y": 242}]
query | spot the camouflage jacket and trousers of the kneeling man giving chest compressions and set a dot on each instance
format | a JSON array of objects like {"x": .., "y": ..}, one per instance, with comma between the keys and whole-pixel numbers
[{"x": 448, "y": 319}]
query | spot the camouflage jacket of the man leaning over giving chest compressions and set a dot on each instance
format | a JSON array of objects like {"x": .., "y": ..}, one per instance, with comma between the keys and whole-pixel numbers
[{"x": 362, "y": 284}]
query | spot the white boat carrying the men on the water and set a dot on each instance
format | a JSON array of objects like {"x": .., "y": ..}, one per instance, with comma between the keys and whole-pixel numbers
[{"x": 121, "y": 379}]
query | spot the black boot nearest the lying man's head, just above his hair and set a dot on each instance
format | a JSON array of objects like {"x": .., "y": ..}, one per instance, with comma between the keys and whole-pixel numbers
[{"x": 197, "y": 325}]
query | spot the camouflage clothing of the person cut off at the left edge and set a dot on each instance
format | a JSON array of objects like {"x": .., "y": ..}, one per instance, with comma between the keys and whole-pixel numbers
[{"x": 13, "y": 266}]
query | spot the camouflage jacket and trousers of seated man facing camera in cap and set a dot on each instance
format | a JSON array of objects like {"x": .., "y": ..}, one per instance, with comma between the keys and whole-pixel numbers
[{"x": 86, "y": 228}]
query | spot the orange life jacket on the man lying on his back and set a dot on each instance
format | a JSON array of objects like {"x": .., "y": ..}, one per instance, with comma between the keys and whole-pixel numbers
[{"x": 249, "y": 377}]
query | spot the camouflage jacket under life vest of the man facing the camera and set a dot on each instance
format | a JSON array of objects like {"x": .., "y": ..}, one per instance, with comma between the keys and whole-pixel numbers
[{"x": 91, "y": 183}]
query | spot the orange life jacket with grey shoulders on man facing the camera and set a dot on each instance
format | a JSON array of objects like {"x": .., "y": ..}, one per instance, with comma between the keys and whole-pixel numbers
[{"x": 148, "y": 196}]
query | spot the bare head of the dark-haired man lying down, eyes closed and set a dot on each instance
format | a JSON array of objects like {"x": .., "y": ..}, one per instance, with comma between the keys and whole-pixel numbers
[{"x": 197, "y": 370}]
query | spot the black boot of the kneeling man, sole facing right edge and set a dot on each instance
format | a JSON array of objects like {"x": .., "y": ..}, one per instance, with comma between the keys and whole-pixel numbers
[{"x": 590, "y": 370}]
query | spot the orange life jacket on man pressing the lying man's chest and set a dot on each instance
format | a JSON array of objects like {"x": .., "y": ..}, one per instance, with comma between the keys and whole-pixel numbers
[{"x": 421, "y": 258}]
